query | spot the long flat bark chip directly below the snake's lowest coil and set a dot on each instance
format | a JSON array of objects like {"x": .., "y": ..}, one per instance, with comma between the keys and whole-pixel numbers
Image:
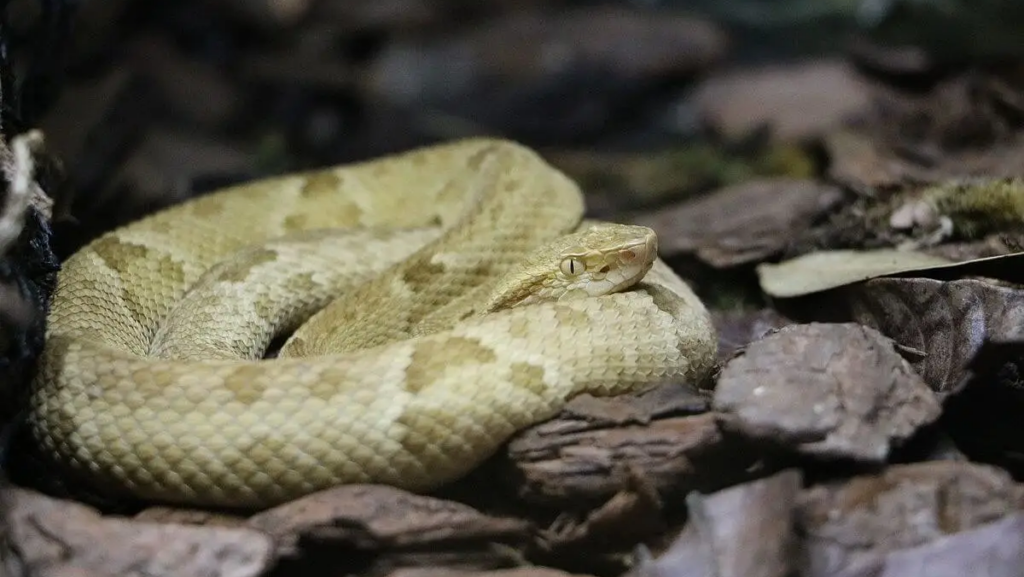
[{"x": 376, "y": 517}]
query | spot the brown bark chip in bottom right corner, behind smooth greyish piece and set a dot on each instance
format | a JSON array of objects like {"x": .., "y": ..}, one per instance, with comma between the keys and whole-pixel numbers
[{"x": 854, "y": 525}]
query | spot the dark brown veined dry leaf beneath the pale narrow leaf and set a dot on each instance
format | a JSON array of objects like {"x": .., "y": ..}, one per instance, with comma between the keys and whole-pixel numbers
[{"x": 948, "y": 320}]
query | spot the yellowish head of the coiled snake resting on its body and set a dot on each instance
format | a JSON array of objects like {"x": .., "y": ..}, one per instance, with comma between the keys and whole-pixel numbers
[{"x": 600, "y": 260}]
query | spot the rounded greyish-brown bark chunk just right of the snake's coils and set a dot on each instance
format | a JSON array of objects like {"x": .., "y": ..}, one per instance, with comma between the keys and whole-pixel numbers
[{"x": 836, "y": 390}]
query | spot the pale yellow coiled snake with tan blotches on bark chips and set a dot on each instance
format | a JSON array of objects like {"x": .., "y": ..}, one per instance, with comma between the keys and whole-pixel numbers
[{"x": 433, "y": 303}]
